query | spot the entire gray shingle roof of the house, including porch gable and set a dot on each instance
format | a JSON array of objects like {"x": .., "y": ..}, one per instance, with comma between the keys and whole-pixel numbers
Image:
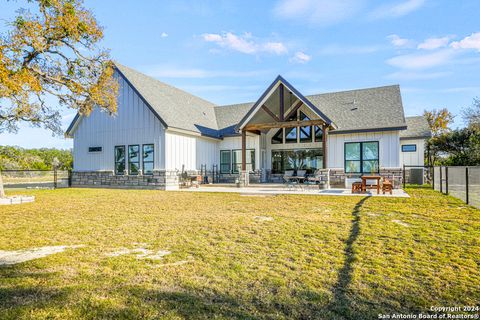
[{"x": 372, "y": 109}]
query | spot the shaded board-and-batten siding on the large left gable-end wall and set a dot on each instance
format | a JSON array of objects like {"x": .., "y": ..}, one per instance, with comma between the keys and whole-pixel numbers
[{"x": 133, "y": 123}]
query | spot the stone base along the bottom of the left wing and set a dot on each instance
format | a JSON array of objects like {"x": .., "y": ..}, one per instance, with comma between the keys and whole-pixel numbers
[{"x": 160, "y": 180}]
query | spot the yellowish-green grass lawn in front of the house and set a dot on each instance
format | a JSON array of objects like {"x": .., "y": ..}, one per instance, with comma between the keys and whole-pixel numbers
[{"x": 319, "y": 258}]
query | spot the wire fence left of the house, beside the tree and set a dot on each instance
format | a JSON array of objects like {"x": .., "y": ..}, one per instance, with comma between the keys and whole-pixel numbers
[{"x": 36, "y": 179}]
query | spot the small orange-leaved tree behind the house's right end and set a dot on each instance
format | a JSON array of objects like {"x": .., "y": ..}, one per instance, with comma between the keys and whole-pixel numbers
[{"x": 438, "y": 121}]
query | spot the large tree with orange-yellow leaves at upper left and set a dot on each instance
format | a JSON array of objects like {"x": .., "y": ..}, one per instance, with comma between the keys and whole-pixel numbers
[{"x": 51, "y": 51}]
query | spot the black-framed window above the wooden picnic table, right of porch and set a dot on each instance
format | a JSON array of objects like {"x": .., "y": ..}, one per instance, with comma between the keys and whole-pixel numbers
[{"x": 362, "y": 157}]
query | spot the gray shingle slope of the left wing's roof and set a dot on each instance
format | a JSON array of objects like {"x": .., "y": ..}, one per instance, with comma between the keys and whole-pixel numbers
[{"x": 177, "y": 108}]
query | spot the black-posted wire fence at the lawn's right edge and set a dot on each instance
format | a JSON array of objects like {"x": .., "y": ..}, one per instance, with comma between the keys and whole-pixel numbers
[{"x": 461, "y": 182}]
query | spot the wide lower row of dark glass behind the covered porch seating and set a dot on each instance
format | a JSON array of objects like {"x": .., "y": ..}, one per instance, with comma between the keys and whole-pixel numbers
[{"x": 301, "y": 159}]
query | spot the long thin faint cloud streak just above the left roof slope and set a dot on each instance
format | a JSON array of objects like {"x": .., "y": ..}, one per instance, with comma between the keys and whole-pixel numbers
[{"x": 167, "y": 71}]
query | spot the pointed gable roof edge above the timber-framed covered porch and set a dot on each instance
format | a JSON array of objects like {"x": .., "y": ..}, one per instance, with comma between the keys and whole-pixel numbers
[{"x": 280, "y": 80}]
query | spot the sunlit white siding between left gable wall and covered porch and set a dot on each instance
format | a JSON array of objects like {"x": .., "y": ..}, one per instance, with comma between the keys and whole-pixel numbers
[{"x": 189, "y": 151}]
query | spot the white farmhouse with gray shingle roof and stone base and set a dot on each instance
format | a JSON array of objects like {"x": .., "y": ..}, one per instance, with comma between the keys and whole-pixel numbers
[{"x": 160, "y": 131}]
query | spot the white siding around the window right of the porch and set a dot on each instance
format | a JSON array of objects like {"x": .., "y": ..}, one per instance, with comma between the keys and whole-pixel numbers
[{"x": 388, "y": 142}]
